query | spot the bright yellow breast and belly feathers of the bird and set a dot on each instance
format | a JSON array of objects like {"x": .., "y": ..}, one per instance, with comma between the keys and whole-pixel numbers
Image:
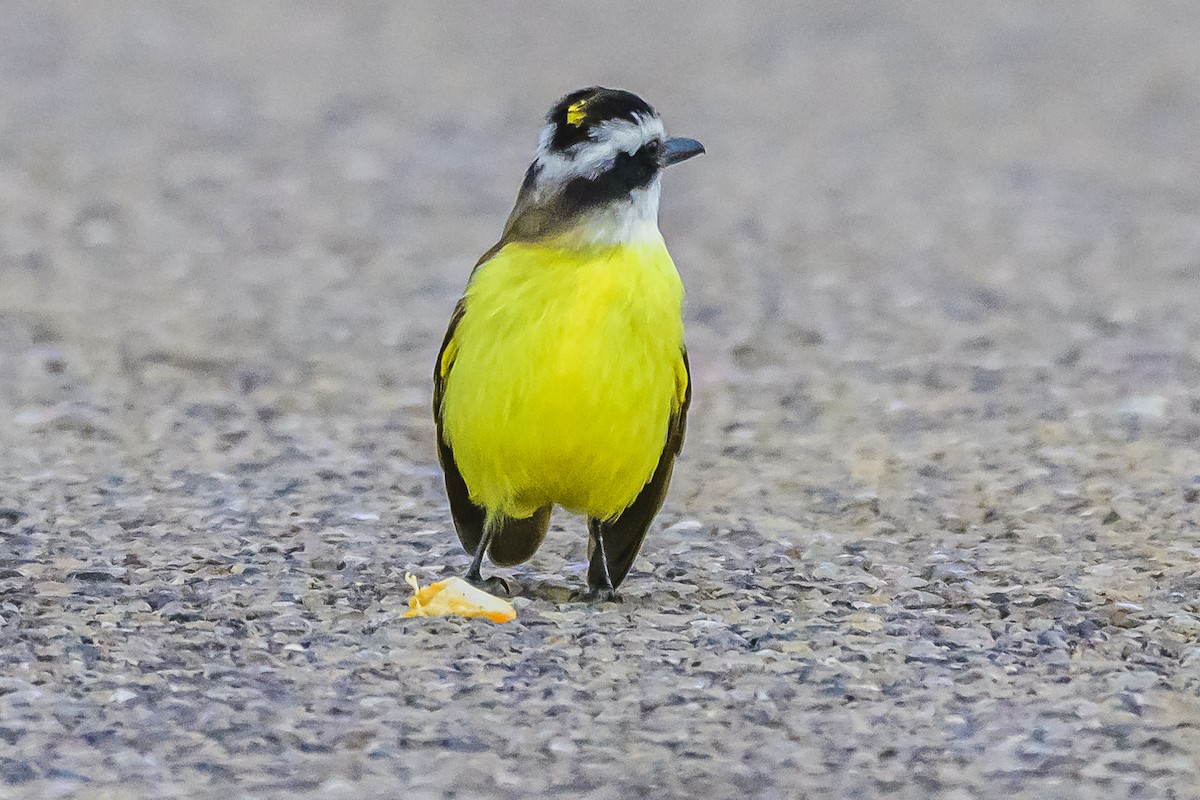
[{"x": 567, "y": 368}]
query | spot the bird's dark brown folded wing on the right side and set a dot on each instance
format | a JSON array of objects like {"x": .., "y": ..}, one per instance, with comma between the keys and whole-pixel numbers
[{"x": 623, "y": 536}]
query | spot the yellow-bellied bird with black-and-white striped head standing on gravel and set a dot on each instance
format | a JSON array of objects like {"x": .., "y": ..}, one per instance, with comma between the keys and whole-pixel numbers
[{"x": 563, "y": 377}]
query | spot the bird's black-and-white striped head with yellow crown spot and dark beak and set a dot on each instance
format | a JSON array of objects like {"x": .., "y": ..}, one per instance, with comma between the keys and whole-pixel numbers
[{"x": 598, "y": 171}]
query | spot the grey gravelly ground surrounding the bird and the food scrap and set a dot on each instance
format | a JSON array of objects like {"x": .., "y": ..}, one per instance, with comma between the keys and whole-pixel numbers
[{"x": 935, "y": 528}]
